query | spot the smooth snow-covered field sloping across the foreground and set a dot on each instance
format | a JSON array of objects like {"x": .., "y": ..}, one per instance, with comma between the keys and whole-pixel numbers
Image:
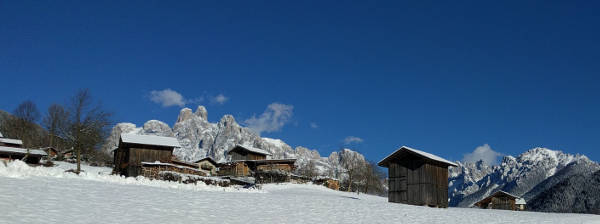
[{"x": 48, "y": 195}]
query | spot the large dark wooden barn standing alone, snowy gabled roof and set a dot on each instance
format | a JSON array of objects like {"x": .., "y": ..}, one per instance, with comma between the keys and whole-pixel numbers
[{"x": 417, "y": 177}]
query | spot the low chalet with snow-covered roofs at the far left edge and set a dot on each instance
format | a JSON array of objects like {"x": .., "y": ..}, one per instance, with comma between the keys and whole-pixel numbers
[{"x": 11, "y": 149}]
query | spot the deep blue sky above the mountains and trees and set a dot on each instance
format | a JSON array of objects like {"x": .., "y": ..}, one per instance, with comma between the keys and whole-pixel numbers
[{"x": 444, "y": 77}]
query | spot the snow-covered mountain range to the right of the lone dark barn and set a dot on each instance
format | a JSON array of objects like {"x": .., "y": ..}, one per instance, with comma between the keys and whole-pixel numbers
[{"x": 527, "y": 175}]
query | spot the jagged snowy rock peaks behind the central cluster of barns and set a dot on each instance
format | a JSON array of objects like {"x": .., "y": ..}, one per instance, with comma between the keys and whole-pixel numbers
[{"x": 200, "y": 138}]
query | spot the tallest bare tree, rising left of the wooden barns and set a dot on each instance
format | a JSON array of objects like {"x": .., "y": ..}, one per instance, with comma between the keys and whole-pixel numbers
[{"x": 88, "y": 123}]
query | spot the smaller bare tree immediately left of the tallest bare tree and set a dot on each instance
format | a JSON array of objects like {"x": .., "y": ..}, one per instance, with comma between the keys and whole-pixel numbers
[{"x": 55, "y": 122}]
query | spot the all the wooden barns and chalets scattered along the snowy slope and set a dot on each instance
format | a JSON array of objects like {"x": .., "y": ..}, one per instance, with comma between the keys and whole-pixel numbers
[{"x": 415, "y": 177}]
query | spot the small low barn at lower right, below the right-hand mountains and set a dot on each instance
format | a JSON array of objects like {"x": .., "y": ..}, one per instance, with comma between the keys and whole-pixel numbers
[{"x": 502, "y": 200}]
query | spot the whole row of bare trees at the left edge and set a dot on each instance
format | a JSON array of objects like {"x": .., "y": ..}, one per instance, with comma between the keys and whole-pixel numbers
[{"x": 81, "y": 124}]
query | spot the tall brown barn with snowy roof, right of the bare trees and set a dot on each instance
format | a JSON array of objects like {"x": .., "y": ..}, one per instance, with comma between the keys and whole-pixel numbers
[{"x": 134, "y": 149}]
